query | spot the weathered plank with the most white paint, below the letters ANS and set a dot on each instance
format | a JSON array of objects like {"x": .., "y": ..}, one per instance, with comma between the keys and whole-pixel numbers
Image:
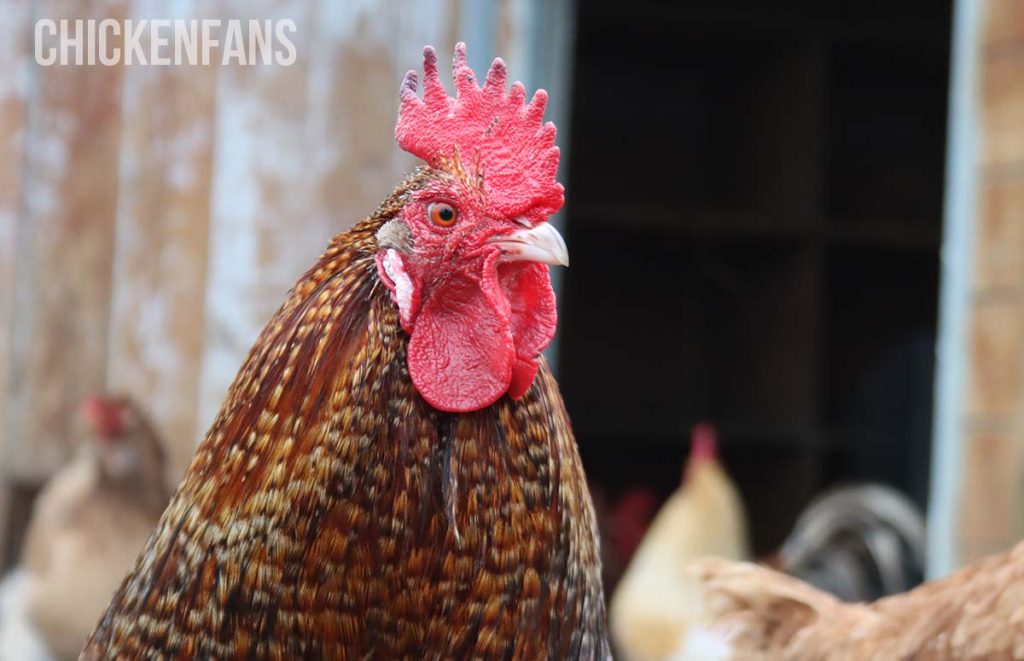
[{"x": 258, "y": 190}]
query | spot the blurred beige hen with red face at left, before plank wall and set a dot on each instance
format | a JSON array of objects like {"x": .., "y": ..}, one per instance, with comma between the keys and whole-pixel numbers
[{"x": 88, "y": 526}]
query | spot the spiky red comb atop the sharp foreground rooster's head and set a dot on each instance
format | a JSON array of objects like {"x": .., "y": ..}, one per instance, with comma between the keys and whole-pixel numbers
[{"x": 490, "y": 128}]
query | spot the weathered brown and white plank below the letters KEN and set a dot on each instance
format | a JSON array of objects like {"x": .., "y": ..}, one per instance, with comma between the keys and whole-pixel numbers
[{"x": 161, "y": 243}]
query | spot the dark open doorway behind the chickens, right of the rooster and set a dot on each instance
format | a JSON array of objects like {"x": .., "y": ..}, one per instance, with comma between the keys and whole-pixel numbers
[{"x": 755, "y": 218}]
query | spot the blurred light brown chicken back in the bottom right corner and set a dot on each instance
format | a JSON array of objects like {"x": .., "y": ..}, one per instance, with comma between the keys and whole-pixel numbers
[{"x": 754, "y": 614}]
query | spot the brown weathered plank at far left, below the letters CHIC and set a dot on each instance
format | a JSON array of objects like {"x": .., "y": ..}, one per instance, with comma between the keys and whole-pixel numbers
[{"x": 61, "y": 307}]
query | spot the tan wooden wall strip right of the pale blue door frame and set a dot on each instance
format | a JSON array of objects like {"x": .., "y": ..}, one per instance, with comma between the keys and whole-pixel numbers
[{"x": 993, "y": 494}]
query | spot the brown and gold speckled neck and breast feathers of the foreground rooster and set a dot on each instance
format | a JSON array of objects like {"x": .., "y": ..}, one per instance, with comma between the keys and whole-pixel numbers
[{"x": 331, "y": 513}]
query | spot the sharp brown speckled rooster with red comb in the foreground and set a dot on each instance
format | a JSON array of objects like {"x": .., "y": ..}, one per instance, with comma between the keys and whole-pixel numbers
[{"x": 394, "y": 474}]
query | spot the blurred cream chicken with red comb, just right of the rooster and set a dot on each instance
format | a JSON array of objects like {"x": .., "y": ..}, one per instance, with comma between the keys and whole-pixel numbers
[{"x": 657, "y": 601}]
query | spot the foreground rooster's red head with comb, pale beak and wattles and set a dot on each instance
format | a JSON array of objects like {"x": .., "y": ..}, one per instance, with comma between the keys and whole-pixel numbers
[{"x": 466, "y": 257}]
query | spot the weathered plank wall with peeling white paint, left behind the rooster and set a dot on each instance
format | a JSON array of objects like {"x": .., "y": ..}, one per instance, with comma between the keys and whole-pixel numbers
[{"x": 152, "y": 218}]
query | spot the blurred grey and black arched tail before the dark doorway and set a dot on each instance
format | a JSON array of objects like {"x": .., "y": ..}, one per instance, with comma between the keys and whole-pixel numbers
[{"x": 859, "y": 543}]
